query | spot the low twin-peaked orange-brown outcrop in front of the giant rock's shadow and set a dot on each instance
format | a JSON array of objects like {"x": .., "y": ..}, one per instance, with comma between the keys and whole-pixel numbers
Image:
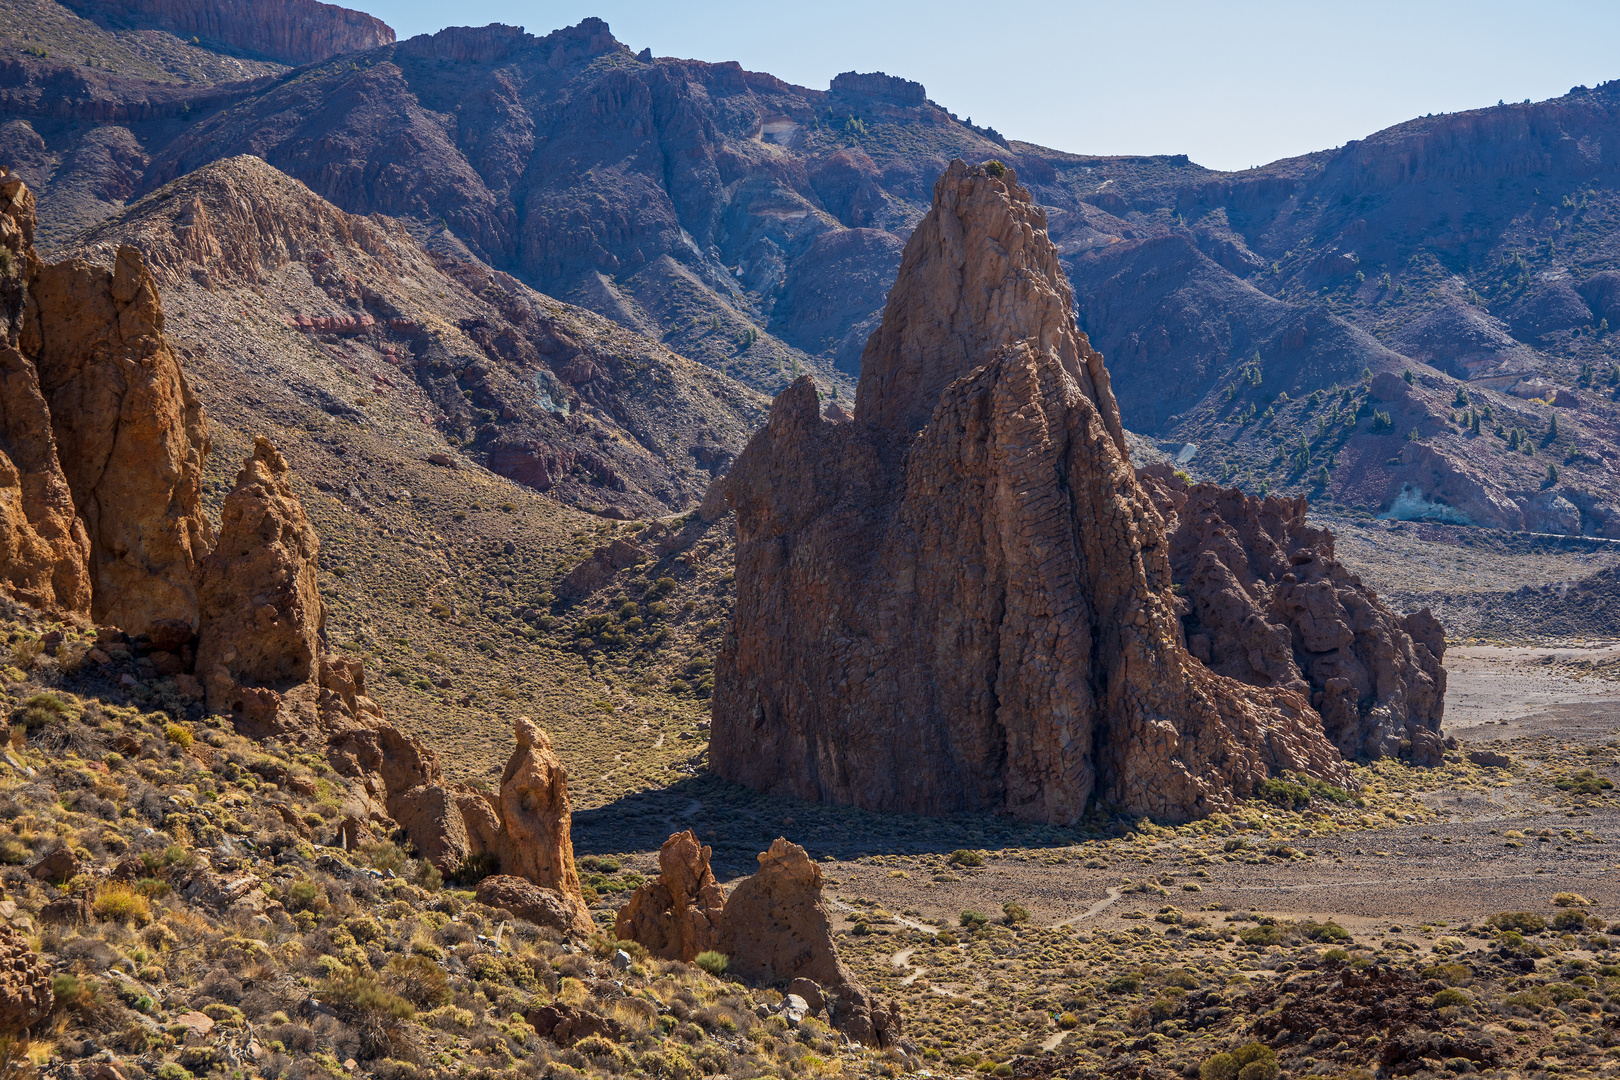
[{"x": 774, "y": 929}]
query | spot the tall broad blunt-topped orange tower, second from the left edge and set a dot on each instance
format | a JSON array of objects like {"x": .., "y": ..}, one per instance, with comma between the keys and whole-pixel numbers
[{"x": 129, "y": 432}]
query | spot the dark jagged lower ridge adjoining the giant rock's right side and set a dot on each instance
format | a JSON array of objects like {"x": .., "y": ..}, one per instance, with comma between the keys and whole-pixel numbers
[{"x": 1268, "y": 605}]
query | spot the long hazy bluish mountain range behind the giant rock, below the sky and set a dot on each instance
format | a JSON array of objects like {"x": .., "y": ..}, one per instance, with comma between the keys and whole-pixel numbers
[{"x": 756, "y": 227}]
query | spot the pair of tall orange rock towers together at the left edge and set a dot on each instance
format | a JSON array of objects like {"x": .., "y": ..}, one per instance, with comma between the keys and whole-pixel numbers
[{"x": 122, "y": 438}]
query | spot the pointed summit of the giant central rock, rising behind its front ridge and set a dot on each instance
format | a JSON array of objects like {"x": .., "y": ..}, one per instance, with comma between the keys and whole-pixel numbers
[{"x": 978, "y": 274}]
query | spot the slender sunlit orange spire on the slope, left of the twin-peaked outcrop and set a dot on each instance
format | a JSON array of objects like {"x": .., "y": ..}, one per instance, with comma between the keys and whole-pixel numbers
[{"x": 535, "y": 819}]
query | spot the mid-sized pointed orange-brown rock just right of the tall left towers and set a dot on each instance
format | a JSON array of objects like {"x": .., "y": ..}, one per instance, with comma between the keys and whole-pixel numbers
[{"x": 262, "y": 598}]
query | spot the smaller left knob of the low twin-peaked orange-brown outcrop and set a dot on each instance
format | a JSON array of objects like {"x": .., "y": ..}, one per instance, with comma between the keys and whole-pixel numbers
[{"x": 678, "y": 916}]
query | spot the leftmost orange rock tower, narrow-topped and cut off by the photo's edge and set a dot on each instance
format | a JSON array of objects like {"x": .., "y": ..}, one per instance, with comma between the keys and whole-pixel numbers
[{"x": 45, "y": 551}]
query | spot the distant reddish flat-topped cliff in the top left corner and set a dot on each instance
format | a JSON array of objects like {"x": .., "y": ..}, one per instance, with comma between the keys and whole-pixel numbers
[{"x": 289, "y": 32}]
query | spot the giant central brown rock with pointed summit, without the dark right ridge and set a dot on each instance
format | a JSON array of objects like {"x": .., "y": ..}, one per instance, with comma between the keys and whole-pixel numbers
[{"x": 963, "y": 598}]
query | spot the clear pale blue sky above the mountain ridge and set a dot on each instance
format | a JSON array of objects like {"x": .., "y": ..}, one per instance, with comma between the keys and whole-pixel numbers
[{"x": 1230, "y": 85}]
